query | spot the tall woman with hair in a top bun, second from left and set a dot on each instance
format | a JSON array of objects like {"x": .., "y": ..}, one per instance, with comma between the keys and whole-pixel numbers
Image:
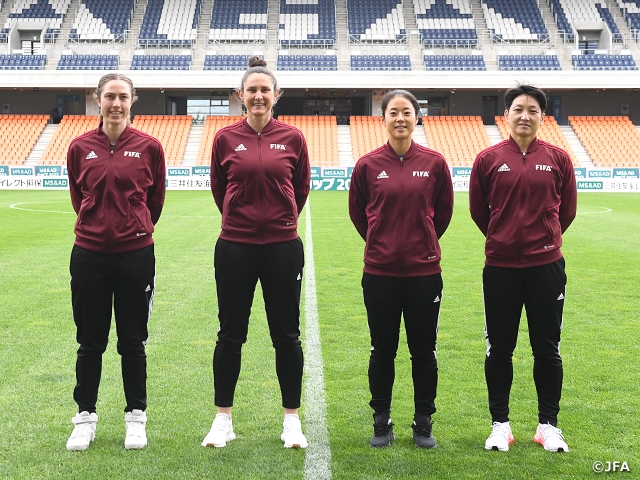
[{"x": 260, "y": 180}]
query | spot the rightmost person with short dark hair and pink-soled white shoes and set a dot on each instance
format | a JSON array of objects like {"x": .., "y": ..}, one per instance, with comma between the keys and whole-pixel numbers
[{"x": 522, "y": 196}]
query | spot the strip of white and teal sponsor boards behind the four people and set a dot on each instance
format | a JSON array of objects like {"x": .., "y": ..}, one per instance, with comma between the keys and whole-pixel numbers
[{"x": 322, "y": 178}]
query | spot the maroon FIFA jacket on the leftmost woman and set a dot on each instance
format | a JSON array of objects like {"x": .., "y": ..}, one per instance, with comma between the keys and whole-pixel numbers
[{"x": 118, "y": 196}]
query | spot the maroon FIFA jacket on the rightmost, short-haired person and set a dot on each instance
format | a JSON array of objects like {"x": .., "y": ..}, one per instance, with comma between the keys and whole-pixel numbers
[{"x": 522, "y": 203}]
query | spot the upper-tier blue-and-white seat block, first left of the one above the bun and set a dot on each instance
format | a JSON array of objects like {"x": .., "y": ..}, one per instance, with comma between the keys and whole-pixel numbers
[{"x": 170, "y": 23}]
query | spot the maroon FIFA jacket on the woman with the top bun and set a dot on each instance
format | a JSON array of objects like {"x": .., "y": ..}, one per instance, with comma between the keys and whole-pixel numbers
[{"x": 260, "y": 181}]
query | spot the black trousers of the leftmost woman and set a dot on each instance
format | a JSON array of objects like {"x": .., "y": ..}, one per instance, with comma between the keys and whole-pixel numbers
[{"x": 102, "y": 282}]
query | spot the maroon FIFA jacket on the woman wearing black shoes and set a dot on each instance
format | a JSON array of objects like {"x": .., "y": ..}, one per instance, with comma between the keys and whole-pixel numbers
[{"x": 401, "y": 207}]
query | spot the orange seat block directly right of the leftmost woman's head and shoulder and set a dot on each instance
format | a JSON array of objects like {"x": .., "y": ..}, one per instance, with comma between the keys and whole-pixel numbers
[{"x": 171, "y": 130}]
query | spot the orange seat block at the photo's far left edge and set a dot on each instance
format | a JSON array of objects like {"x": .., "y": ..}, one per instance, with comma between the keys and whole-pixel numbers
[{"x": 18, "y": 135}]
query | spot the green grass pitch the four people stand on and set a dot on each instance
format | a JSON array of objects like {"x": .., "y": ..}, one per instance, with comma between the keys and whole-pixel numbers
[{"x": 600, "y": 407}]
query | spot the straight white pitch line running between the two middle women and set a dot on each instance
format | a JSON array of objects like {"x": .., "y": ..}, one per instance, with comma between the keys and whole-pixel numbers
[{"x": 317, "y": 461}]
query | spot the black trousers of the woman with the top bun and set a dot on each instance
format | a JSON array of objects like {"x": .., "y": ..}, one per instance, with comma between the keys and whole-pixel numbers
[{"x": 238, "y": 267}]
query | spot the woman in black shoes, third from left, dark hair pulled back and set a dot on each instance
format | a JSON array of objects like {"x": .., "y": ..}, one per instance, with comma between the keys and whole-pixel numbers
[{"x": 401, "y": 203}]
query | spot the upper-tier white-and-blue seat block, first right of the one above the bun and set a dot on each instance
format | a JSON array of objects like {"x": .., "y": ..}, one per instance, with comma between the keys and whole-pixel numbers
[{"x": 307, "y": 23}]
